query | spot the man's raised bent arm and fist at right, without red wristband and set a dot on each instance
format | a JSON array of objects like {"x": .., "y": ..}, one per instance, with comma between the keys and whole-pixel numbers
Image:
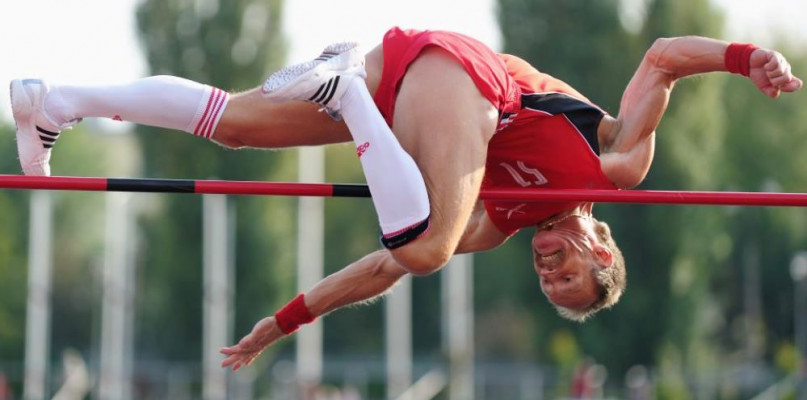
[{"x": 630, "y": 139}]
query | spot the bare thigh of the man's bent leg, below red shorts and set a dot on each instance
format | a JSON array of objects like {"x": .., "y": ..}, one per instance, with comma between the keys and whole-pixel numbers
[{"x": 445, "y": 124}]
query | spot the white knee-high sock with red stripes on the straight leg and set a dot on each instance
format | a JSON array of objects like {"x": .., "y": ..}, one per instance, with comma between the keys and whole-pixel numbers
[{"x": 162, "y": 101}]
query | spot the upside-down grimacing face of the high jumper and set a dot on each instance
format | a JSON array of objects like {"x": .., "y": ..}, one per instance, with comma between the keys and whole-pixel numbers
[{"x": 565, "y": 256}]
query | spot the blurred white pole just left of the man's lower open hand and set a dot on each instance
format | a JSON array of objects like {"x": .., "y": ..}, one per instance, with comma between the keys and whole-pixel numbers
[{"x": 216, "y": 330}]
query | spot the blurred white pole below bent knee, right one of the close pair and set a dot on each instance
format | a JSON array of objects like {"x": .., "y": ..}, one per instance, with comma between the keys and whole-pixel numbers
[{"x": 458, "y": 330}]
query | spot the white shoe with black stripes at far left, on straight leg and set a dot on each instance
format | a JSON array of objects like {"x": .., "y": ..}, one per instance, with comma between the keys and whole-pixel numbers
[{"x": 34, "y": 142}]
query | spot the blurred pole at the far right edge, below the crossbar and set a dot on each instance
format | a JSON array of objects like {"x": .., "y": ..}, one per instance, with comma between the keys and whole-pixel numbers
[{"x": 798, "y": 271}]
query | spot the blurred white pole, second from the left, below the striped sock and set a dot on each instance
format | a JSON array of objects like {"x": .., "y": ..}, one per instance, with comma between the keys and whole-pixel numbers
[{"x": 116, "y": 340}]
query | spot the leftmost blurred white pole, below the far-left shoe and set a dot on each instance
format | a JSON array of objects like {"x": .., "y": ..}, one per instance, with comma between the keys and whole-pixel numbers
[{"x": 37, "y": 329}]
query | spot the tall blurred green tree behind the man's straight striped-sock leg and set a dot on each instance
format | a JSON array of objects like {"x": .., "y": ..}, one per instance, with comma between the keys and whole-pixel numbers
[{"x": 230, "y": 45}]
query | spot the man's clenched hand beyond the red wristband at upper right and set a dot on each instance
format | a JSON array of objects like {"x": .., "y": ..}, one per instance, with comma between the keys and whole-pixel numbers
[{"x": 771, "y": 72}]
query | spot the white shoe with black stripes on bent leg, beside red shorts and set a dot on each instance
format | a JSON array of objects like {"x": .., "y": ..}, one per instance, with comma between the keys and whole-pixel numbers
[{"x": 322, "y": 81}]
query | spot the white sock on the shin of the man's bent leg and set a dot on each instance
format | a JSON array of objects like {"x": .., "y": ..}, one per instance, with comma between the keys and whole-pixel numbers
[{"x": 399, "y": 192}]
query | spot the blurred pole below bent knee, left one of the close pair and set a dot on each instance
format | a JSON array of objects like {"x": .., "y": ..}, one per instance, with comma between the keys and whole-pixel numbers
[{"x": 398, "y": 322}]
